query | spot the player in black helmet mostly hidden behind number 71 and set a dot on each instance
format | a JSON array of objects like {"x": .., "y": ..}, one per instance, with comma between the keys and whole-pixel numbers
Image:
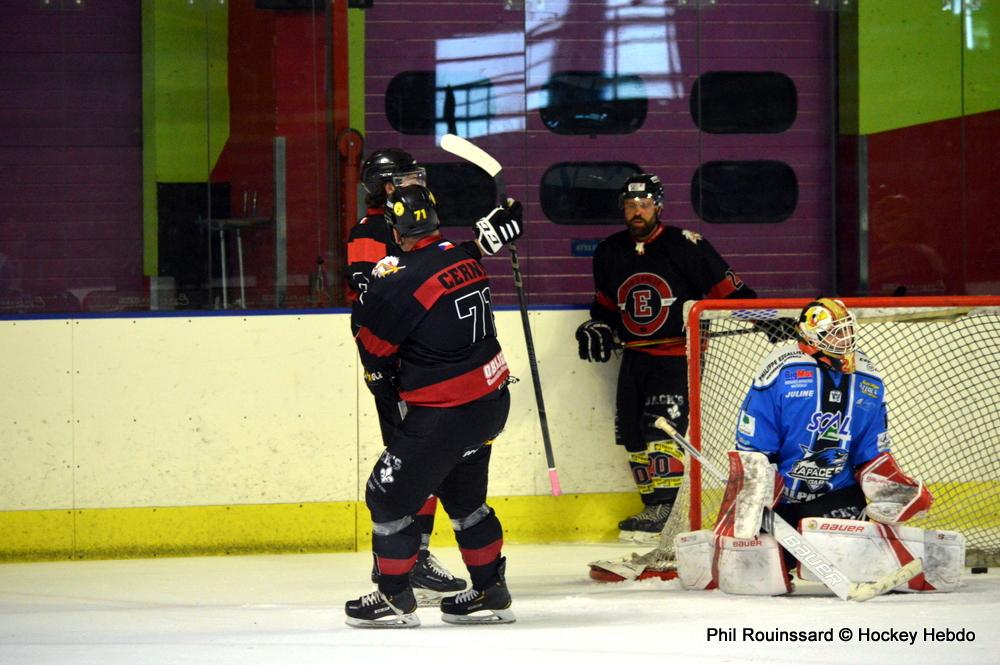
[{"x": 369, "y": 242}]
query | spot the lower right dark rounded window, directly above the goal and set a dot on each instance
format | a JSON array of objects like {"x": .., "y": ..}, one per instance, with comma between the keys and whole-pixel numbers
[{"x": 752, "y": 192}]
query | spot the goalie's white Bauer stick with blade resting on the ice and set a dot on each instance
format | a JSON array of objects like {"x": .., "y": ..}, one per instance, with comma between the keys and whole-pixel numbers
[{"x": 799, "y": 547}]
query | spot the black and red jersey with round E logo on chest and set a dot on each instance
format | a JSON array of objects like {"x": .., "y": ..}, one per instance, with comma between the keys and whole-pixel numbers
[{"x": 641, "y": 288}]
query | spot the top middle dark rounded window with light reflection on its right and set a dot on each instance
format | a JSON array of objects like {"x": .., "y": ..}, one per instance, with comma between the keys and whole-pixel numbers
[{"x": 594, "y": 103}]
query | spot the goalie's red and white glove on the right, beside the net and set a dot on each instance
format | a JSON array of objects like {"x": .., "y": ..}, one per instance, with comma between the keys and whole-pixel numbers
[{"x": 892, "y": 495}]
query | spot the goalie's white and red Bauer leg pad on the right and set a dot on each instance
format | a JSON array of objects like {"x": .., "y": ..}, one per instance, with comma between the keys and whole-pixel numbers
[{"x": 866, "y": 551}]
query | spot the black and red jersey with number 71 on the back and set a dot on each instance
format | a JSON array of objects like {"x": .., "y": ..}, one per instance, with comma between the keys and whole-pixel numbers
[{"x": 429, "y": 321}]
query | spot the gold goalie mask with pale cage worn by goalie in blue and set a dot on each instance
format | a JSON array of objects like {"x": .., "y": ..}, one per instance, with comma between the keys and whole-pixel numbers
[{"x": 826, "y": 332}]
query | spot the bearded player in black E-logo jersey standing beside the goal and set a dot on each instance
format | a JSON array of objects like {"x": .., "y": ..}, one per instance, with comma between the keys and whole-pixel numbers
[{"x": 643, "y": 276}]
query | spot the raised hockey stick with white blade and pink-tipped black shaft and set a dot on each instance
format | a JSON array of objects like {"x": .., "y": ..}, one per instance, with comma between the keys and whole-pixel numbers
[{"x": 470, "y": 152}]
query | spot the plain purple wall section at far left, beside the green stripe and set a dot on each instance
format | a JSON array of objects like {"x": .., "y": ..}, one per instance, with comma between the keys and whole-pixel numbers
[{"x": 70, "y": 153}]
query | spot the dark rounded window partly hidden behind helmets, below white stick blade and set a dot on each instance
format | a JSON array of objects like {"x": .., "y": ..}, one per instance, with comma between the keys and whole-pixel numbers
[{"x": 464, "y": 192}]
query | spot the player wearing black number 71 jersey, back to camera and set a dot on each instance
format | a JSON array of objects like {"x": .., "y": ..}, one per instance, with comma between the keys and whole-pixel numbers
[{"x": 426, "y": 335}]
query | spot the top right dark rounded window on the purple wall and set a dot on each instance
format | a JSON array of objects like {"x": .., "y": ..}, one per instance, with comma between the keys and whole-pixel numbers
[{"x": 743, "y": 102}]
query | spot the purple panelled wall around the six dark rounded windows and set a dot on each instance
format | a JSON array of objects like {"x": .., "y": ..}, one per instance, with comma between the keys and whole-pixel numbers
[{"x": 669, "y": 48}]
